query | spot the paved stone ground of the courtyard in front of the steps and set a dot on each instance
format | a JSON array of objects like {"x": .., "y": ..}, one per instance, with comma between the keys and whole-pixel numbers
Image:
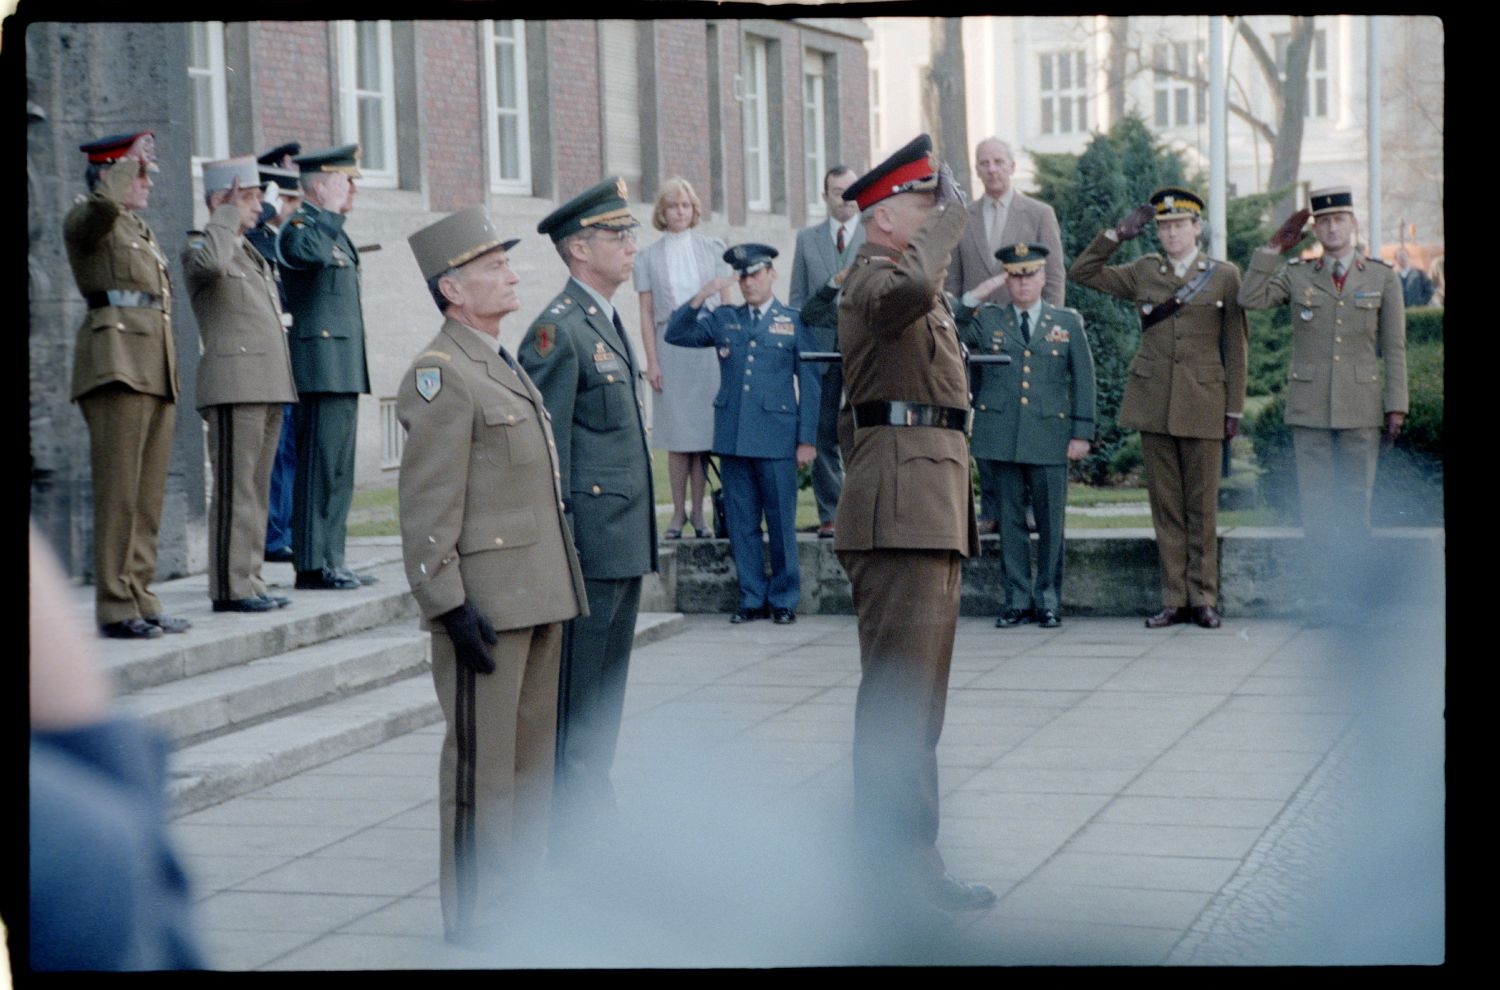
[{"x": 1259, "y": 794}]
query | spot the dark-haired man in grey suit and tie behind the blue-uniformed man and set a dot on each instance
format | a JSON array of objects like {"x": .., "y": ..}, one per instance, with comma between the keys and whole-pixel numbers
[{"x": 823, "y": 256}]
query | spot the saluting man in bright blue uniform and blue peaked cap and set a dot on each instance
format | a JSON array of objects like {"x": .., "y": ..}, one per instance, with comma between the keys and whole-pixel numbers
[{"x": 764, "y": 427}]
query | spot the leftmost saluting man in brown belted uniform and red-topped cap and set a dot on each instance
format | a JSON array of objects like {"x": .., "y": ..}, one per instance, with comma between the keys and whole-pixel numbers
[{"x": 125, "y": 379}]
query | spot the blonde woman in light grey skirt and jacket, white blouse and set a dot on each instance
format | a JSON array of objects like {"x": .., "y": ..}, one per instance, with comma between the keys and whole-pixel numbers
[{"x": 686, "y": 380}]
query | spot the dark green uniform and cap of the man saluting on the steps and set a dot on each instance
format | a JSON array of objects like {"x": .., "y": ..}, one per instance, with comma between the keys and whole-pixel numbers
[{"x": 322, "y": 274}]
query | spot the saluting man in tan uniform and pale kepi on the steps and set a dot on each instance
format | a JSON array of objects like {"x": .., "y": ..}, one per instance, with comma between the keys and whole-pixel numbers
[{"x": 244, "y": 380}]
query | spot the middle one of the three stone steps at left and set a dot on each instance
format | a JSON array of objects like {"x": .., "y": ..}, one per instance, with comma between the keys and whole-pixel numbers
[{"x": 200, "y": 707}]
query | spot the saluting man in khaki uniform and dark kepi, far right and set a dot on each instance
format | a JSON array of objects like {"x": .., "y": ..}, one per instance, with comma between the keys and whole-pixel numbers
[{"x": 1348, "y": 319}]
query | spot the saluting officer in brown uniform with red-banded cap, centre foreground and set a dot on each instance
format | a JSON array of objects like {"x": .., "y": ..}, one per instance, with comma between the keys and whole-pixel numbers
[{"x": 905, "y": 521}]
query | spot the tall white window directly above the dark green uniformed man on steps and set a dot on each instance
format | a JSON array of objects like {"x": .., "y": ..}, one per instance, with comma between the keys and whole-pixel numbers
[{"x": 368, "y": 98}]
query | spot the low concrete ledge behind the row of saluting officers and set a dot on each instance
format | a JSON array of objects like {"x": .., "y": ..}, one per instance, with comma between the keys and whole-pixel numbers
[{"x": 1106, "y": 572}]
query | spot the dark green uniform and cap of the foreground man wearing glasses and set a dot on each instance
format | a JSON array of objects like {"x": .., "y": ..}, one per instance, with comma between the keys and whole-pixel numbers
[{"x": 584, "y": 367}]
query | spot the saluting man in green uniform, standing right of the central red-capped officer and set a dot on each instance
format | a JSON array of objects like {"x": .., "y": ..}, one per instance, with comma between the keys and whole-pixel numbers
[{"x": 1031, "y": 418}]
